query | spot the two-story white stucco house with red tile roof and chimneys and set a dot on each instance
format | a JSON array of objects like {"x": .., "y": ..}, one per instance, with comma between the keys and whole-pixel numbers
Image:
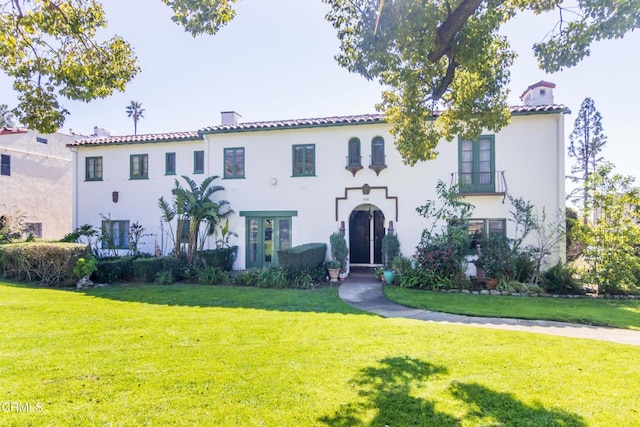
[{"x": 292, "y": 182}]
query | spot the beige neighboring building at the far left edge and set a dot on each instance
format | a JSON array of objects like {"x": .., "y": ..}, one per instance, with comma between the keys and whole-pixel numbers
[{"x": 36, "y": 181}]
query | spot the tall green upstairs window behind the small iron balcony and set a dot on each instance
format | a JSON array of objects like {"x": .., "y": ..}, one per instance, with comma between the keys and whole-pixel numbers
[{"x": 476, "y": 166}]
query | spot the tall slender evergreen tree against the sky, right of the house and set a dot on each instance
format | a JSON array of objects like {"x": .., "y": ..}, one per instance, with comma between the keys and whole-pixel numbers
[{"x": 586, "y": 142}]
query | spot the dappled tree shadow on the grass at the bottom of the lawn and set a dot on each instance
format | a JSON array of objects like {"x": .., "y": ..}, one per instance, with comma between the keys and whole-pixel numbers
[{"x": 387, "y": 398}]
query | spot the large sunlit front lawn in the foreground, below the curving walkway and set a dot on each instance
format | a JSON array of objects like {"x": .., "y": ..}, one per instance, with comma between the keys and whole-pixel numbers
[{"x": 196, "y": 355}]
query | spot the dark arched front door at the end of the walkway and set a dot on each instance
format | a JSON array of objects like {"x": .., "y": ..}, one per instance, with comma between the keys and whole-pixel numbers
[{"x": 366, "y": 229}]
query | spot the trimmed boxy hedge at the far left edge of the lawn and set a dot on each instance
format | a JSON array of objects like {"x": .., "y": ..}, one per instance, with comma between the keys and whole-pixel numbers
[{"x": 53, "y": 264}]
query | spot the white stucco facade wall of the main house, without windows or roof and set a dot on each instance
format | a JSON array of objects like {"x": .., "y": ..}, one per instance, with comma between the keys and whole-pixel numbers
[{"x": 530, "y": 151}]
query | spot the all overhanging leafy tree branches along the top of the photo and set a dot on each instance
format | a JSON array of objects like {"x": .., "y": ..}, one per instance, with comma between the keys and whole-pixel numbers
[{"x": 444, "y": 56}]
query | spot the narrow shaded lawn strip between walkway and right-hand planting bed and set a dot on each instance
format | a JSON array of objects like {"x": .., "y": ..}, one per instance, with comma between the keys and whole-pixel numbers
[{"x": 601, "y": 312}]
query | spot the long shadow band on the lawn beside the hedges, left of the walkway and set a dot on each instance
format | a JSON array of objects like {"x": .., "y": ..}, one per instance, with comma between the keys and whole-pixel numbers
[{"x": 323, "y": 299}]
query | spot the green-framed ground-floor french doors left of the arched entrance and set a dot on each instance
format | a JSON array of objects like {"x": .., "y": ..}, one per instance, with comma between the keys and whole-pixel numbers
[{"x": 265, "y": 236}]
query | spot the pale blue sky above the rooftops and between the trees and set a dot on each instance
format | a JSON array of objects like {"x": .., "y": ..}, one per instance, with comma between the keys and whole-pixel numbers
[{"x": 276, "y": 61}]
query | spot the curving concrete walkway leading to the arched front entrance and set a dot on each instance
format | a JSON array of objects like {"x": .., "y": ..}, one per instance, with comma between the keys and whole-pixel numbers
[{"x": 363, "y": 291}]
